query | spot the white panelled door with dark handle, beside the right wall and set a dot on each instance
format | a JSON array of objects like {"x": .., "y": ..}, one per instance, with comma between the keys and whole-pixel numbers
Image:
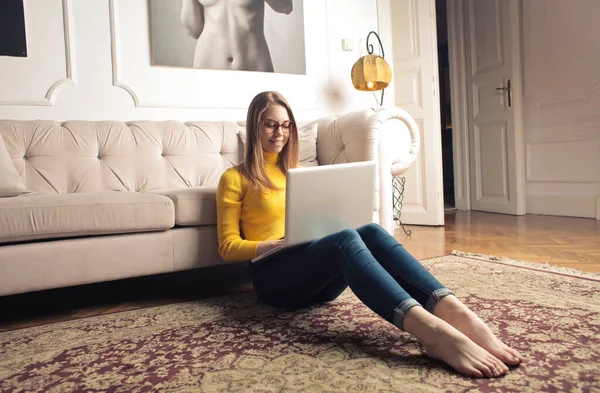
[{"x": 494, "y": 105}]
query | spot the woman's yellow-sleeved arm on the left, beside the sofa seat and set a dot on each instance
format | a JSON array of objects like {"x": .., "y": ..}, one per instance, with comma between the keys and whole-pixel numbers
[{"x": 229, "y": 208}]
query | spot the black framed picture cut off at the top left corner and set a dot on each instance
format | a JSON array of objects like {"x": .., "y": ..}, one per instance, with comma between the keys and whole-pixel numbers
[{"x": 13, "y": 40}]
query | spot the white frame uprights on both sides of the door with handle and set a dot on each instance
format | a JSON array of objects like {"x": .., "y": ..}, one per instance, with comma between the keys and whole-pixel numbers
[{"x": 458, "y": 99}]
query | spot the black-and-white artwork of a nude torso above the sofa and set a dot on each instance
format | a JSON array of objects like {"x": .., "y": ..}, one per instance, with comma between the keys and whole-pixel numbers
[{"x": 239, "y": 35}]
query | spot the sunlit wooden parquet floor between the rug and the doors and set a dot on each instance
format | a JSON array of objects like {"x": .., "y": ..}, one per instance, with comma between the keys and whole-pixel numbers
[{"x": 560, "y": 241}]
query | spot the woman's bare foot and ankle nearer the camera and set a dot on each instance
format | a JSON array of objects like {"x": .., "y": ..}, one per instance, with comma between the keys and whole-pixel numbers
[{"x": 443, "y": 342}]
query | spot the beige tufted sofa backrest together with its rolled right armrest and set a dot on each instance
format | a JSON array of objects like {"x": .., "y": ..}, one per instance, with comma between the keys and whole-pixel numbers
[{"x": 145, "y": 156}]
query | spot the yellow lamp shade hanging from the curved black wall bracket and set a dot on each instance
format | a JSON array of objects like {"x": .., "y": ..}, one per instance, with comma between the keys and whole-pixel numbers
[{"x": 371, "y": 73}]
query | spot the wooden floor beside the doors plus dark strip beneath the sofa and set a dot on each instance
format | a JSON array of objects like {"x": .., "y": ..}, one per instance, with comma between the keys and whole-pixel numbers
[{"x": 560, "y": 241}]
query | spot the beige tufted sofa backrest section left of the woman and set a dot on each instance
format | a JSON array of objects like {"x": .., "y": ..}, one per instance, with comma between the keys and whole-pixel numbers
[{"x": 88, "y": 156}]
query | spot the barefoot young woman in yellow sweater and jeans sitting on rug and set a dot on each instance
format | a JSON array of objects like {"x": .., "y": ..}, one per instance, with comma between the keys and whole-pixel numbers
[{"x": 382, "y": 274}]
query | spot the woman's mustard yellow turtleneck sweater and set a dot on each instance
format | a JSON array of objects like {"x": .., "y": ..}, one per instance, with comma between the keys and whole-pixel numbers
[{"x": 245, "y": 217}]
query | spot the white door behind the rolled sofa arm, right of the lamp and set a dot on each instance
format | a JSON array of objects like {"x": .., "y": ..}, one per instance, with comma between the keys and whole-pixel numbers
[{"x": 415, "y": 80}]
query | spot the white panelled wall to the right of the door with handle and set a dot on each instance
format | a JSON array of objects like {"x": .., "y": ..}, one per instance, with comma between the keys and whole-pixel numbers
[{"x": 561, "y": 56}]
